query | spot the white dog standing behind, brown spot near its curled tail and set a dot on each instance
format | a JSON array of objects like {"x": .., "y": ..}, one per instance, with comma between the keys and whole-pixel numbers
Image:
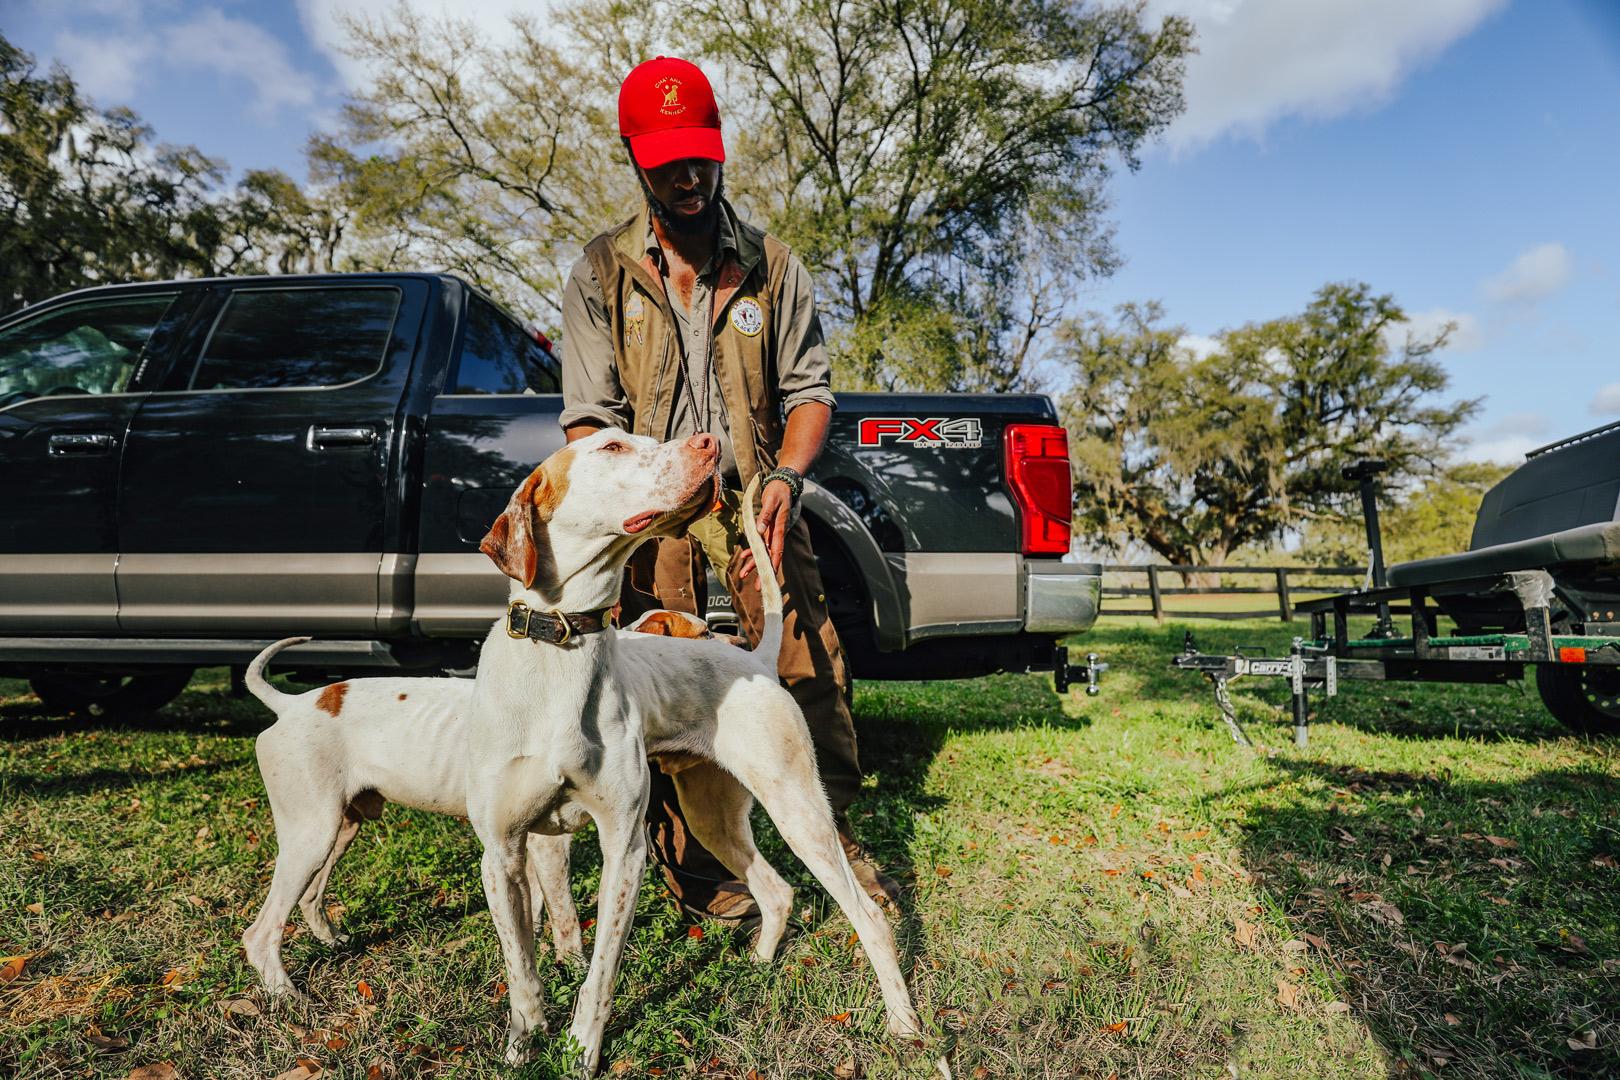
[{"x": 333, "y": 759}]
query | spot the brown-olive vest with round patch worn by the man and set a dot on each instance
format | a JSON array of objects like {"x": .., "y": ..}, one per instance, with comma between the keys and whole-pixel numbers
[{"x": 644, "y": 336}]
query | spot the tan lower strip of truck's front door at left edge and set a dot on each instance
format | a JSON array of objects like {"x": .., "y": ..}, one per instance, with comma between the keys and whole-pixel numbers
[{"x": 59, "y": 593}]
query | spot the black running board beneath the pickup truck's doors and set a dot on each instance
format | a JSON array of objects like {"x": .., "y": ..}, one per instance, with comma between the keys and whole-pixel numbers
[{"x": 202, "y": 652}]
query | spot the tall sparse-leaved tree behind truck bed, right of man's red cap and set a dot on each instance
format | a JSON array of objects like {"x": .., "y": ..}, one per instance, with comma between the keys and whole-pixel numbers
[{"x": 939, "y": 164}]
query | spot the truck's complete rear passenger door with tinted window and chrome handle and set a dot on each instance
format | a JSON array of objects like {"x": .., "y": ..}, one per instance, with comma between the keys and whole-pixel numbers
[{"x": 257, "y": 483}]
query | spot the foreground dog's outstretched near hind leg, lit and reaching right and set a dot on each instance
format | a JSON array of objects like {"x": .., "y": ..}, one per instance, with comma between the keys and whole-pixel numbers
[{"x": 787, "y": 784}]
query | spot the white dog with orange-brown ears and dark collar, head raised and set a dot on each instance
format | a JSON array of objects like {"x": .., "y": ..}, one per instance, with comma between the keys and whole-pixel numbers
[{"x": 566, "y": 716}]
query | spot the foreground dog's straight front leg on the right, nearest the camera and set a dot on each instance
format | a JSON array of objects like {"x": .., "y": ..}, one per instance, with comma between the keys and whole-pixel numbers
[{"x": 623, "y": 833}]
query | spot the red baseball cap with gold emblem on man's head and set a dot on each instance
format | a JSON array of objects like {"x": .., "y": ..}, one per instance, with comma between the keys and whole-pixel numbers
[{"x": 667, "y": 109}]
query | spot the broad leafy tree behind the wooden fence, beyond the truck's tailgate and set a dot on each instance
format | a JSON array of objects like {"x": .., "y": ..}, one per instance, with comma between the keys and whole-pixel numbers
[{"x": 1198, "y": 457}]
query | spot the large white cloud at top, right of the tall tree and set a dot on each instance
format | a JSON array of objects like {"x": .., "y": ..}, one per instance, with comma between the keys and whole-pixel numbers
[{"x": 1263, "y": 61}]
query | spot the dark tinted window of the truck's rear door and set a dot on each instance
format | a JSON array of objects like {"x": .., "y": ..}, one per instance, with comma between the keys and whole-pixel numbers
[{"x": 297, "y": 338}]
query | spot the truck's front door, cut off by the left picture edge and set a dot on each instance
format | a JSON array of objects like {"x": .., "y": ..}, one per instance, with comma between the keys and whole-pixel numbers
[{"x": 69, "y": 386}]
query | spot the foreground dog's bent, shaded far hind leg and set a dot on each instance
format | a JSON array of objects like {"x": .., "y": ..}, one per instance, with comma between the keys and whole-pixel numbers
[{"x": 717, "y": 810}]
